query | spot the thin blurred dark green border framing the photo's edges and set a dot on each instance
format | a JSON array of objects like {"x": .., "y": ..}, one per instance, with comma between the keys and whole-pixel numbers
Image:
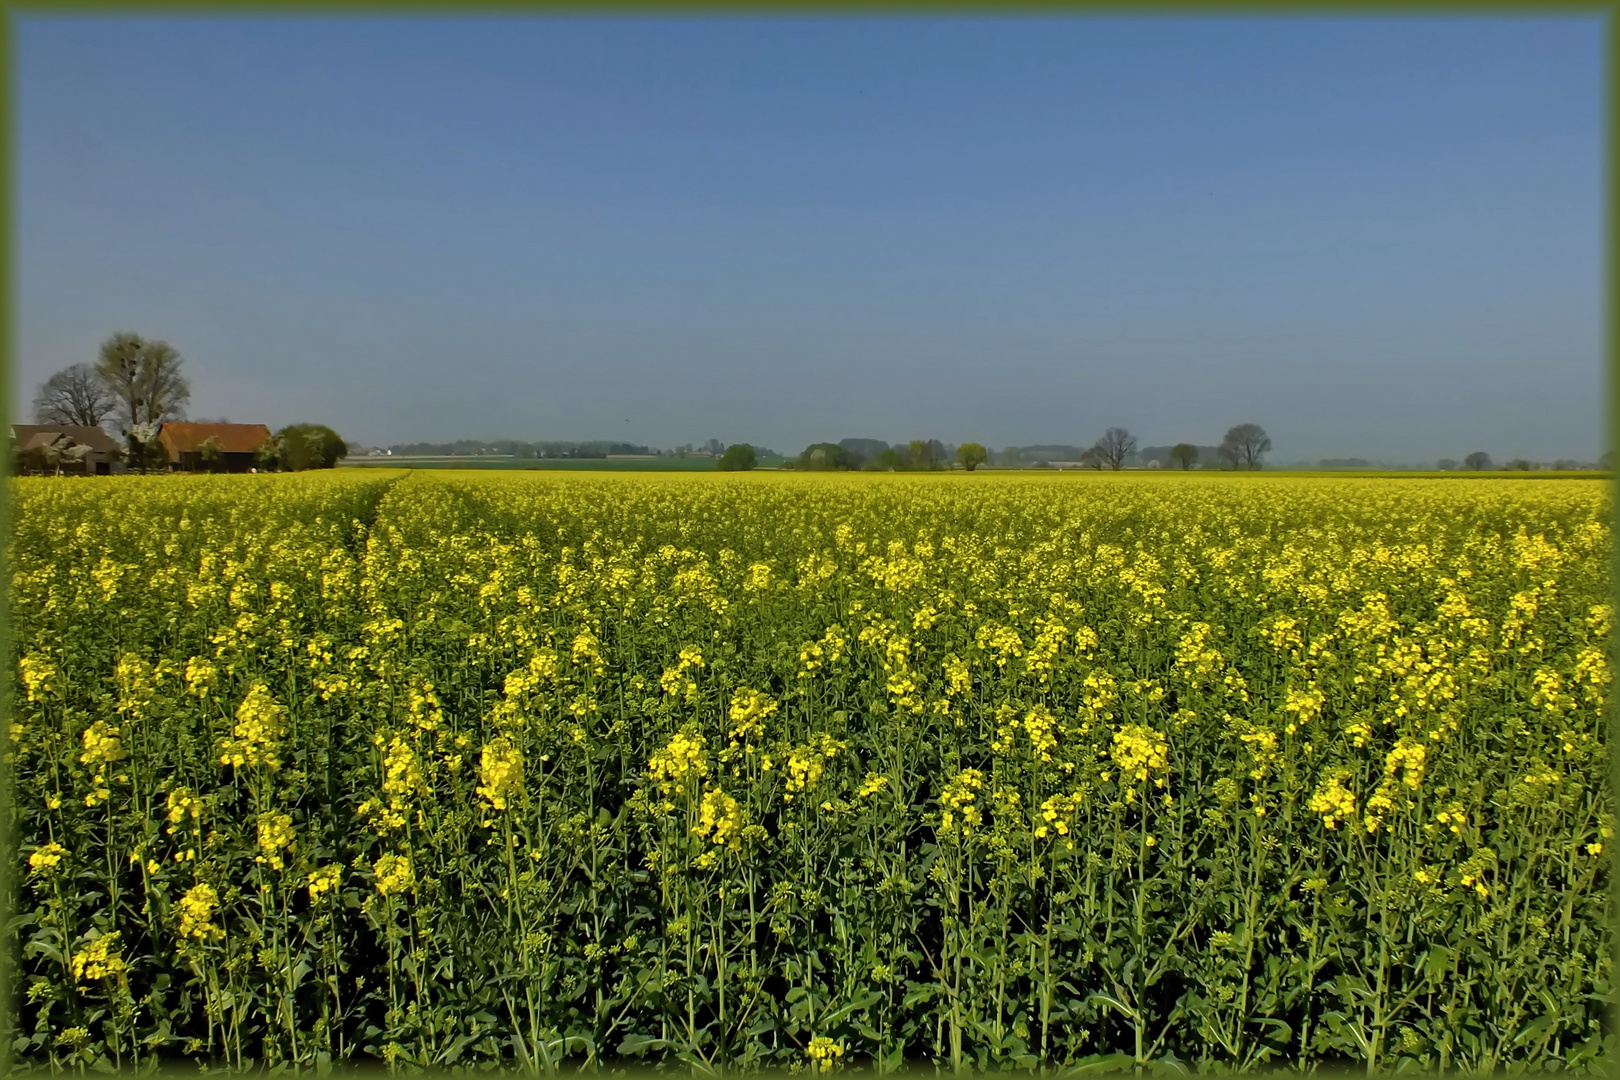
[{"x": 884, "y": 9}]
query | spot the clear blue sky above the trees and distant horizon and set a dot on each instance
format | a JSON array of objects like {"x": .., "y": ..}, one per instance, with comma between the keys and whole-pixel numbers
[{"x": 1375, "y": 237}]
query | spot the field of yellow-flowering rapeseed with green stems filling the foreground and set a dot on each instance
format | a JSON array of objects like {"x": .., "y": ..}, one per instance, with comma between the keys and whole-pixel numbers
[{"x": 816, "y": 773}]
